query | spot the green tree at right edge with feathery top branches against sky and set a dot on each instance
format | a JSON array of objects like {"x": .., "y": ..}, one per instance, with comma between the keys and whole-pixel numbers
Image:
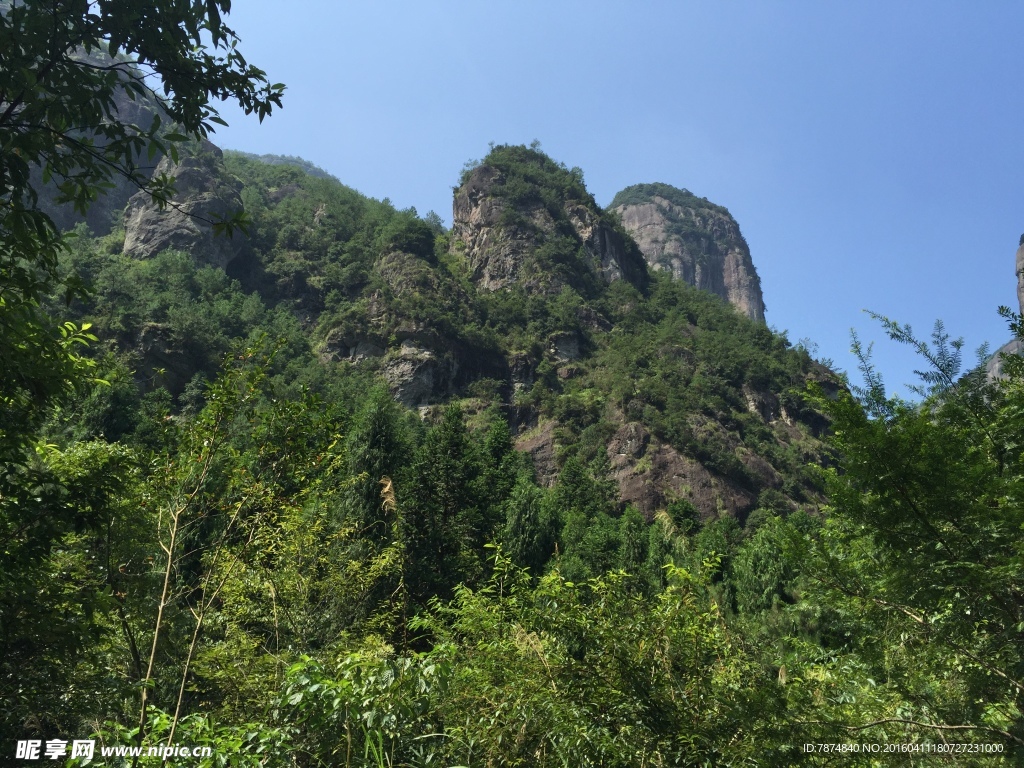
[{"x": 920, "y": 551}]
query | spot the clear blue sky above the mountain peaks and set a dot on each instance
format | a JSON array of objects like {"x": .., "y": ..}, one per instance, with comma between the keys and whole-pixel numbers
[{"x": 872, "y": 153}]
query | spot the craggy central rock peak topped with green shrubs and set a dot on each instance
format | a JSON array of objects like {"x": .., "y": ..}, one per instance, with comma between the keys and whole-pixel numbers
[{"x": 538, "y": 231}]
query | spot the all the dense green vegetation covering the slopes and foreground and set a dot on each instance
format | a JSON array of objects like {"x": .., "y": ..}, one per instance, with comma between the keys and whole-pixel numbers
[{"x": 220, "y": 528}]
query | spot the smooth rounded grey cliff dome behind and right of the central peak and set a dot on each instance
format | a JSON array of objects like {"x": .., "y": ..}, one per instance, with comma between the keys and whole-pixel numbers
[{"x": 696, "y": 241}]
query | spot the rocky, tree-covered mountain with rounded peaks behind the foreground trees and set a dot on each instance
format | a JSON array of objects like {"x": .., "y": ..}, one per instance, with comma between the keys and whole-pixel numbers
[{"x": 537, "y": 301}]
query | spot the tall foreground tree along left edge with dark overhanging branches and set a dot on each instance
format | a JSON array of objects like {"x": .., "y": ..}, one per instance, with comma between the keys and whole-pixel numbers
[{"x": 67, "y": 75}]
